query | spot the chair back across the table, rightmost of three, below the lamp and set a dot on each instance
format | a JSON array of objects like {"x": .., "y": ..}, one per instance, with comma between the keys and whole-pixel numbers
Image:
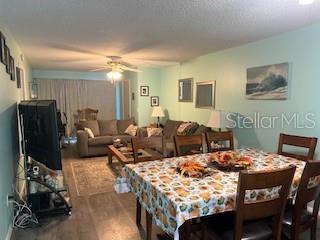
[{"x": 216, "y": 137}]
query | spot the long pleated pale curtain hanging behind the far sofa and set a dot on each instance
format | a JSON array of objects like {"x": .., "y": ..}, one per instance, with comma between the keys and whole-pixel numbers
[{"x": 72, "y": 95}]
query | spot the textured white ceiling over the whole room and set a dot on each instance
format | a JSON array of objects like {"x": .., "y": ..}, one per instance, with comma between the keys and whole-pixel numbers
[{"x": 76, "y": 34}]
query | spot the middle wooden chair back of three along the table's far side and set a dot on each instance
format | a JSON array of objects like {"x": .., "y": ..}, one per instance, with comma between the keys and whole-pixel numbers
[{"x": 188, "y": 145}]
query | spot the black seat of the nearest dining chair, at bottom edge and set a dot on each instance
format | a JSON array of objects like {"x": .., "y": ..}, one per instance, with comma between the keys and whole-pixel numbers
[{"x": 222, "y": 227}]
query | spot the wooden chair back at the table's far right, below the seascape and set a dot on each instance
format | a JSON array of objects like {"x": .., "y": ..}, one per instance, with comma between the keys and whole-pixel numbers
[{"x": 308, "y": 143}]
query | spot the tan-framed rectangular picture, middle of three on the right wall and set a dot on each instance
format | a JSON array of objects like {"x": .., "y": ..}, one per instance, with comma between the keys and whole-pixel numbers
[{"x": 205, "y": 94}]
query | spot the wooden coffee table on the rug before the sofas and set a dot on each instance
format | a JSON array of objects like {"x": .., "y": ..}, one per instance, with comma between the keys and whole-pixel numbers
[{"x": 126, "y": 157}]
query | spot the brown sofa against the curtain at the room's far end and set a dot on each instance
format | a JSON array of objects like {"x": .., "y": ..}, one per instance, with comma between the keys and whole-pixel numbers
[{"x": 104, "y": 131}]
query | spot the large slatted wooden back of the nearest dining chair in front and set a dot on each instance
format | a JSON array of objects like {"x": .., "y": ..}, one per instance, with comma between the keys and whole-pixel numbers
[{"x": 251, "y": 210}]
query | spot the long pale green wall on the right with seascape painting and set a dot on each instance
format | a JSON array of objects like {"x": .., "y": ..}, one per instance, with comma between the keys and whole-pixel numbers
[{"x": 301, "y": 49}]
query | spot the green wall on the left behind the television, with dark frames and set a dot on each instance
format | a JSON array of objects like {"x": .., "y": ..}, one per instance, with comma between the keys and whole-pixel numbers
[{"x": 9, "y": 135}]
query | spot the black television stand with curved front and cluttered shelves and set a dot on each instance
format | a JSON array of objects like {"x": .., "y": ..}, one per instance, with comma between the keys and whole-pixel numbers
[{"x": 45, "y": 199}]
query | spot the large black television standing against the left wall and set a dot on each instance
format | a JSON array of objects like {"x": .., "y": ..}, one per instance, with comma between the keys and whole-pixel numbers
[{"x": 40, "y": 132}]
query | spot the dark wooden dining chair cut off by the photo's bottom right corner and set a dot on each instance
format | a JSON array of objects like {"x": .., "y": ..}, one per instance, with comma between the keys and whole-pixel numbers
[{"x": 297, "y": 218}]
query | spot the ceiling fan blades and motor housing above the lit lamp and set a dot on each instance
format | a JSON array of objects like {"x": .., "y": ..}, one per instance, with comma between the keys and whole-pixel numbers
[{"x": 115, "y": 65}]
